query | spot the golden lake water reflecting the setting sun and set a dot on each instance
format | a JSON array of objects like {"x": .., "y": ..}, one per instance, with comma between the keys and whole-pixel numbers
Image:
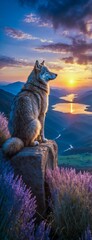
[{"x": 73, "y": 108}]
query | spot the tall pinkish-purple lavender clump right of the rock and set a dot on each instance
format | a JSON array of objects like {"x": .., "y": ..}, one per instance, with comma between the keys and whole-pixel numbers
[{"x": 71, "y": 195}]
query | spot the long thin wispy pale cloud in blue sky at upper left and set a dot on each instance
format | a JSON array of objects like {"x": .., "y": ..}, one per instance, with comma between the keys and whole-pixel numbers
[{"x": 19, "y": 35}]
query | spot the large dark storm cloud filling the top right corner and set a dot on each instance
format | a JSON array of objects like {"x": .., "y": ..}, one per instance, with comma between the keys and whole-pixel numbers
[{"x": 67, "y": 13}]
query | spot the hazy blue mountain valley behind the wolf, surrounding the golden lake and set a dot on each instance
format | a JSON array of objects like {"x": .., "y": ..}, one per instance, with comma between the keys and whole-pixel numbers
[{"x": 72, "y": 132}]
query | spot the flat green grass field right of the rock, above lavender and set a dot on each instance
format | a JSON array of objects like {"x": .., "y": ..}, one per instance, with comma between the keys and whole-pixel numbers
[{"x": 80, "y": 161}]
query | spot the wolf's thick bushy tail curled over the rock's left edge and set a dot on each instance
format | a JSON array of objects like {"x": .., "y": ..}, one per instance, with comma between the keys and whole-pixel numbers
[{"x": 12, "y": 146}]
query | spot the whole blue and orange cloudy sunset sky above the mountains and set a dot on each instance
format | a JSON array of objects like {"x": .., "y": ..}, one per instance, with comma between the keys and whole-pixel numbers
[{"x": 58, "y": 31}]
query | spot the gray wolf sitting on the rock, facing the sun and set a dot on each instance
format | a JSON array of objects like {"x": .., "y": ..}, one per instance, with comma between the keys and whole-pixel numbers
[{"x": 27, "y": 117}]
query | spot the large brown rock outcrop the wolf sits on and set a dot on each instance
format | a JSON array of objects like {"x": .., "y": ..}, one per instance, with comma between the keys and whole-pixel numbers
[{"x": 31, "y": 163}]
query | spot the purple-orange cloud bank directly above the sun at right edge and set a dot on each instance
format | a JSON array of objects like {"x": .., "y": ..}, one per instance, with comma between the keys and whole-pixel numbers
[{"x": 78, "y": 51}]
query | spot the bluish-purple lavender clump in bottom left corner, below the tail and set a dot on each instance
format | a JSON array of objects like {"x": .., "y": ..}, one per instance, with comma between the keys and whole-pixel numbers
[{"x": 17, "y": 209}]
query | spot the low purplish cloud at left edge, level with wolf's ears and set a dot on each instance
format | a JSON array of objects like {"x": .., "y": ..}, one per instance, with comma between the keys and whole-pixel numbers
[{"x": 12, "y": 62}]
